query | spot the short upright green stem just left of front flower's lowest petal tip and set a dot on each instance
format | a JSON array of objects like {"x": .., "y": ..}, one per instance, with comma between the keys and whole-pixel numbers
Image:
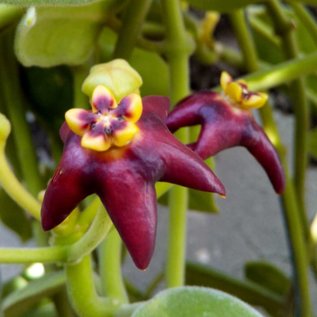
[{"x": 110, "y": 267}]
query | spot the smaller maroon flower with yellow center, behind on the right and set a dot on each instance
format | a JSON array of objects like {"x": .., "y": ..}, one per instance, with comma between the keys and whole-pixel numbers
[{"x": 227, "y": 121}]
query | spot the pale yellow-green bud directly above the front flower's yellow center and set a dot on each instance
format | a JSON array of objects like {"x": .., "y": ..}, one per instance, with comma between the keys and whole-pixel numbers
[{"x": 118, "y": 76}]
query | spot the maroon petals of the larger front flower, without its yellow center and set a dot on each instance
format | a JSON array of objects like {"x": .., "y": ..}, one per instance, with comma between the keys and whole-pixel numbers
[{"x": 124, "y": 178}]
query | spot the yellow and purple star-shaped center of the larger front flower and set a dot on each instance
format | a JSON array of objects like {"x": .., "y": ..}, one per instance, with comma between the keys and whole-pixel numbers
[{"x": 108, "y": 124}]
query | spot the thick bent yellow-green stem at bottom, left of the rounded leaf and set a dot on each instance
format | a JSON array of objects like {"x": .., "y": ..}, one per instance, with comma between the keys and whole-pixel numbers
[{"x": 82, "y": 292}]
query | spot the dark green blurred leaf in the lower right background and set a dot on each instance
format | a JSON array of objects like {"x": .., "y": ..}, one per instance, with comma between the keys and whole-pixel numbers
[{"x": 268, "y": 276}]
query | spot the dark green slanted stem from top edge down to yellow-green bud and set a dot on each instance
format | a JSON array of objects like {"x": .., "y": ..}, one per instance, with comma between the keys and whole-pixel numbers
[{"x": 131, "y": 27}]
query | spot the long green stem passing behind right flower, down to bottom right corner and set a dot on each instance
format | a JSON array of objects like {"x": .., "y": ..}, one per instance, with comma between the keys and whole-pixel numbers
[{"x": 289, "y": 203}]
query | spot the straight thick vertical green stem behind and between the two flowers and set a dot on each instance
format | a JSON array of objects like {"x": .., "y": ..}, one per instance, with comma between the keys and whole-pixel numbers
[{"x": 178, "y": 50}]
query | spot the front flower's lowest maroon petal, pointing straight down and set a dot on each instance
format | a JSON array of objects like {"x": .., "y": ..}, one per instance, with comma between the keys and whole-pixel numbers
[{"x": 131, "y": 203}]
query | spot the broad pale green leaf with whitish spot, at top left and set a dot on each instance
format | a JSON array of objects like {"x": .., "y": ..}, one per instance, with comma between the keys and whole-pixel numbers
[{"x": 49, "y": 36}]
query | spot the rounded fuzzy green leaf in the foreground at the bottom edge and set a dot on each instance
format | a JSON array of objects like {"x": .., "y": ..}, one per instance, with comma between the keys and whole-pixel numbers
[{"x": 194, "y": 301}]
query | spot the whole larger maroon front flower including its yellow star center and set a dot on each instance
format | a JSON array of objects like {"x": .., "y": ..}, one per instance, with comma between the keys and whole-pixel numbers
[{"x": 118, "y": 151}]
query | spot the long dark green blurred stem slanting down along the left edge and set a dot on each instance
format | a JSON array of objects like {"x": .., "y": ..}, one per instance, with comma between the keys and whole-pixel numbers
[{"x": 12, "y": 94}]
